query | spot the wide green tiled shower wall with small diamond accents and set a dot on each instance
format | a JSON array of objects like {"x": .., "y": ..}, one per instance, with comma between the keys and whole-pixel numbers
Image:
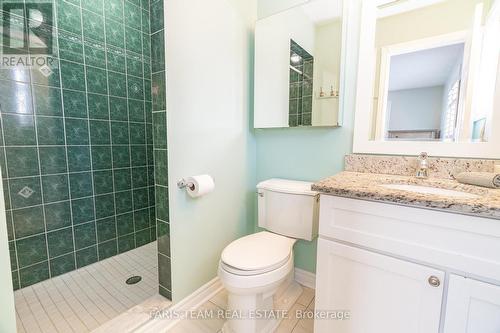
[{"x": 76, "y": 147}]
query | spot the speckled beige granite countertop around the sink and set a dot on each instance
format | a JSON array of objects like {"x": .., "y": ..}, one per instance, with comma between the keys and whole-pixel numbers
[{"x": 366, "y": 186}]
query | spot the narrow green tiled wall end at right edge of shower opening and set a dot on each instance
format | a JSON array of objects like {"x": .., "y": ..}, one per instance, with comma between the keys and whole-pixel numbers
[{"x": 160, "y": 145}]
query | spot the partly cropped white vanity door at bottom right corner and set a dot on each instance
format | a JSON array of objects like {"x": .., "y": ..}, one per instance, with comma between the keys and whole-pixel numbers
[{"x": 472, "y": 307}]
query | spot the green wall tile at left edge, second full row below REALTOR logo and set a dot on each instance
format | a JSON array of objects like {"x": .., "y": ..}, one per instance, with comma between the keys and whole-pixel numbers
[{"x": 19, "y": 130}]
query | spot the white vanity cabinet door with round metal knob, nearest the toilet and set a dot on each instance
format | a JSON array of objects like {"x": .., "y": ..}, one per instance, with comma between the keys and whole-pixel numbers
[{"x": 381, "y": 293}]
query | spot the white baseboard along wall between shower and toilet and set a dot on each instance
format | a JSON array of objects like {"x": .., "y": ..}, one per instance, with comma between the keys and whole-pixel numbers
[{"x": 191, "y": 302}]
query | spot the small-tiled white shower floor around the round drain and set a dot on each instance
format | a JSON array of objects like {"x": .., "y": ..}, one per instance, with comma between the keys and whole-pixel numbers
[{"x": 82, "y": 300}]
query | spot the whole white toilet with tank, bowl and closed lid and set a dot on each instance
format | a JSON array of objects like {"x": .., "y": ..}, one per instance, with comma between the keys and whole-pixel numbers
[{"x": 258, "y": 270}]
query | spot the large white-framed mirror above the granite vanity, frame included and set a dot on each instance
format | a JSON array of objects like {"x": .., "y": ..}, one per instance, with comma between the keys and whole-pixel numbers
[{"x": 431, "y": 78}]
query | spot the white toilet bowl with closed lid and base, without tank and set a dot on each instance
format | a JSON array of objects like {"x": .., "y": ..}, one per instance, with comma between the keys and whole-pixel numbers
[{"x": 255, "y": 270}]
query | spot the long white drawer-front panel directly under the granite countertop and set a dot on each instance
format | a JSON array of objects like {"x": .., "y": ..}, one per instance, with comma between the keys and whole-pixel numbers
[{"x": 461, "y": 243}]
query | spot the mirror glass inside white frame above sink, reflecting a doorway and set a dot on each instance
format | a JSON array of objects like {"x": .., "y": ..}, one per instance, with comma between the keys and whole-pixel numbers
[{"x": 435, "y": 78}]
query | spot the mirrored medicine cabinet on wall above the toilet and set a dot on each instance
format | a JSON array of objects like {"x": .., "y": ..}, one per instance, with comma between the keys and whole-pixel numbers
[{"x": 298, "y": 66}]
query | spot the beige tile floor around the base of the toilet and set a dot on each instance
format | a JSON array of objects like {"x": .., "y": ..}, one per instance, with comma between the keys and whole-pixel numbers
[{"x": 291, "y": 324}]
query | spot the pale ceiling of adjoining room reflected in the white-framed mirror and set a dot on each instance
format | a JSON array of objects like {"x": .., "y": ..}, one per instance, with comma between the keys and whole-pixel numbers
[{"x": 427, "y": 68}]
